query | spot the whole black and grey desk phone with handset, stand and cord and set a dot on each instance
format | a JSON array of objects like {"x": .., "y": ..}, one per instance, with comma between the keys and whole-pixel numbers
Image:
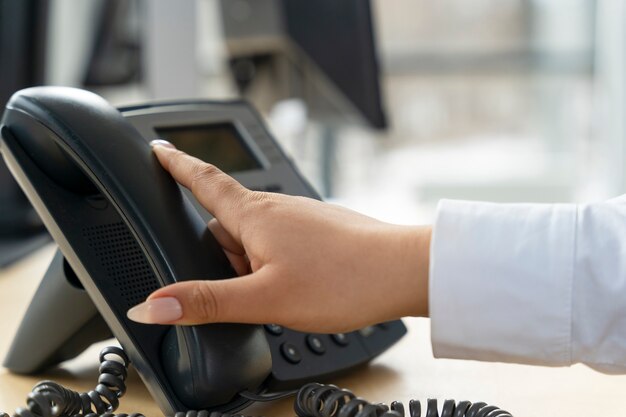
[{"x": 88, "y": 170}]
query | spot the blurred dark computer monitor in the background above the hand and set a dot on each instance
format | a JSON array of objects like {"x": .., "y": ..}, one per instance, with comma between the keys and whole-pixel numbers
[{"x": 322, "y": 51}]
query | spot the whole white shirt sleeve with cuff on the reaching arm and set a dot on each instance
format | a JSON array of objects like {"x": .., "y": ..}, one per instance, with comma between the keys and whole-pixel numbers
[{"x": 530, "y": 283}]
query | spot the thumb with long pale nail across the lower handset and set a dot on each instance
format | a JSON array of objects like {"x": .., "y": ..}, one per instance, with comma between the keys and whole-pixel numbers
[{"x": 239, "y": 300}]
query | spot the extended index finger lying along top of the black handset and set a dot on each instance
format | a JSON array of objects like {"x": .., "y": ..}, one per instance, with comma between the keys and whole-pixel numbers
[{"x": 216, "y": 191}]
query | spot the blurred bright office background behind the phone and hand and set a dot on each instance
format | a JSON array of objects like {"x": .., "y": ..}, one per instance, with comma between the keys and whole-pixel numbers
[{"x": 386, "y": 106}]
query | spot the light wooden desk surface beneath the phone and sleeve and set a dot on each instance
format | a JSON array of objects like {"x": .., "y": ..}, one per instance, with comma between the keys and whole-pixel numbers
[{"x": 406, "y": 371}]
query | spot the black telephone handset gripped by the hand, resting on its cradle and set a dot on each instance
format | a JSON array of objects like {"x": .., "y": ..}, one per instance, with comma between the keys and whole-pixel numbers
[{"x": 105, "y": 199}]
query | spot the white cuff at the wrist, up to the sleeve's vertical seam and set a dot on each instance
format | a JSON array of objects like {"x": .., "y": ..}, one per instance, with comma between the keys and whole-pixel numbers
[{"x": 501, "y": 282}]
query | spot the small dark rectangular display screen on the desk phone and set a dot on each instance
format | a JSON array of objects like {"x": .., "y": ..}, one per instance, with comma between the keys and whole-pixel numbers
[{"x": 218, "y": 144}]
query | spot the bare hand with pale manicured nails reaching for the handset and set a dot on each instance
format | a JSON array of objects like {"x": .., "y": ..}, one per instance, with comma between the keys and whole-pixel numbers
[{"x": 302, "y": 263}]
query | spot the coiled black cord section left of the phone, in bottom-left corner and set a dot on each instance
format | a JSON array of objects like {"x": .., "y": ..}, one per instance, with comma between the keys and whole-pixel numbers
[{"x": 49, "y": 399}]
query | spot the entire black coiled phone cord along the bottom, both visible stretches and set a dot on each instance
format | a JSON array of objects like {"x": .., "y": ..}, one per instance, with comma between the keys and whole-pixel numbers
[{"x": 49, "y": 399}]
